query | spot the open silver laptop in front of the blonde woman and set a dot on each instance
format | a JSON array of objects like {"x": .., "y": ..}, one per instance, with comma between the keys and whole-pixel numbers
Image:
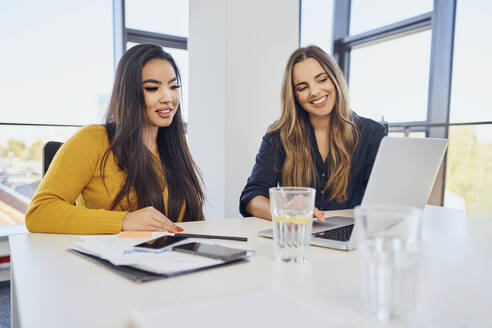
[{"x": 403, "y": 173}]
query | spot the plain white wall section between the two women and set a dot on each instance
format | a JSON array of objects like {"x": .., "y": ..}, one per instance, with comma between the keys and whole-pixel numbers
[{"x": 237, "y": 53}]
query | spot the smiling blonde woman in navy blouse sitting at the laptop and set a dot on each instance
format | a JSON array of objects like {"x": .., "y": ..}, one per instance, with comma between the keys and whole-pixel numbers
[{"x": 318, "y": 141}]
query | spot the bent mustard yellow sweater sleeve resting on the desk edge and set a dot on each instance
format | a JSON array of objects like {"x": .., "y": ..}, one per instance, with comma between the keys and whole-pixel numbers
[{"x": 52, "y": 210}]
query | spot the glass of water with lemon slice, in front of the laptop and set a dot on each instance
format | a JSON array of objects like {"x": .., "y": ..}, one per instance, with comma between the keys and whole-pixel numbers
[{"x": 292, "y": 218}]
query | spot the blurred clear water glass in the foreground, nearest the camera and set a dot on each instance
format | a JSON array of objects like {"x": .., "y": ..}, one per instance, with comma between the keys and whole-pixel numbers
[{"x": 388, "y": 239}]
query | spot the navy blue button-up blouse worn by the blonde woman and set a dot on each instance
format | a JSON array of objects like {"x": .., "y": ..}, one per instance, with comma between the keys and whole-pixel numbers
[{"x": 269, "y": 161}]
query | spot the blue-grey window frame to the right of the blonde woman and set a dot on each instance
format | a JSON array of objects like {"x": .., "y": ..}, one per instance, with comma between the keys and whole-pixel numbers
[{"x": 441, "y": 22}]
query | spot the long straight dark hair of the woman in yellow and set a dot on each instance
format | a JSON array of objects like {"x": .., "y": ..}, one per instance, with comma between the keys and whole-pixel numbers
[{"x": 146, "y": 177}]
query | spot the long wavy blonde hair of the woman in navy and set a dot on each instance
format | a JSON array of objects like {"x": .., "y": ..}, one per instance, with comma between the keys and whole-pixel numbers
[{"x": 293, "y": 126}]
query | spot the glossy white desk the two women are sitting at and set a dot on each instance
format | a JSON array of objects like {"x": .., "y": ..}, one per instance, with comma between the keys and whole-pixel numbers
[{"x": 54, "y": 288}]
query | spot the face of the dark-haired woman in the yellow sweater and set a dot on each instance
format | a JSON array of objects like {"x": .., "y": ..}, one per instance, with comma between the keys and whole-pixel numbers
[{"x": 161, "y": 92}]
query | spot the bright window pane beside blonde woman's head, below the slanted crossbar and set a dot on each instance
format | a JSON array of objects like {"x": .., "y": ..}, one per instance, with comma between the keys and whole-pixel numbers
[{"x": 391, "y": 78}]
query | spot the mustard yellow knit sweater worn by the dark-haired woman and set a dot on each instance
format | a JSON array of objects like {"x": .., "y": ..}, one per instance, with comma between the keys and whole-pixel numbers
[{"x": 74, "y": 174}]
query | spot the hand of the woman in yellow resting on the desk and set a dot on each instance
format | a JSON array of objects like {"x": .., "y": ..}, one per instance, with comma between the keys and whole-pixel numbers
[{"x": 148, "y": 219}]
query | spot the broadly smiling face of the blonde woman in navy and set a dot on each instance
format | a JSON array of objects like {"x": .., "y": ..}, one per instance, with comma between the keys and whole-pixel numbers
[{"x": 313, "y": 88}]
